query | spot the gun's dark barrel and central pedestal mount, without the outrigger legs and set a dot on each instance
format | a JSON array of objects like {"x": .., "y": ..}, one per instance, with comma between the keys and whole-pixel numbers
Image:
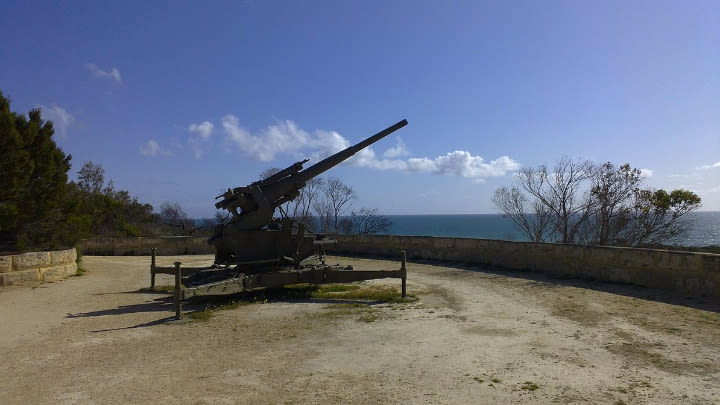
[{"x": 249, "y": 236}]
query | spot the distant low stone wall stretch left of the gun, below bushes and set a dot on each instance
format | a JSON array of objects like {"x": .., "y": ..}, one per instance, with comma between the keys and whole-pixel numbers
[{"x": 172, "y": 245}]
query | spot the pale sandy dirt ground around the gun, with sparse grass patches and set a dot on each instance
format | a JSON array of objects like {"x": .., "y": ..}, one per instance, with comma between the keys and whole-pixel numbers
[{"x": 473, "y": 335}]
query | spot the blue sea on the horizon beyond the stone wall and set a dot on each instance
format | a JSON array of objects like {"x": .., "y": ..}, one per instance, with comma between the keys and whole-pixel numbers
[{"x": 704, "y": 232}]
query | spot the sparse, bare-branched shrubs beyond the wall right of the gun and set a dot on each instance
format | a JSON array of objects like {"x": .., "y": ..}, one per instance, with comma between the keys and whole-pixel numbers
[{"x": 588, "y": 203}]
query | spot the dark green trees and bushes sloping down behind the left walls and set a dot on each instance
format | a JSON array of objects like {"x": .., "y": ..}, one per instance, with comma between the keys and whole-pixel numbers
[{"x": 40, "y": 208}]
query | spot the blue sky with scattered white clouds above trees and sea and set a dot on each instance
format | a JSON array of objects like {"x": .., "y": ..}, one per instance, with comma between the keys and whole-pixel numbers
[{"x": 179, "y": 101}]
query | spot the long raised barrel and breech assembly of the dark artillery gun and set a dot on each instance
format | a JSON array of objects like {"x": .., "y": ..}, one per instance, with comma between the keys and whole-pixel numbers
[{"x": 259, "y": 199}]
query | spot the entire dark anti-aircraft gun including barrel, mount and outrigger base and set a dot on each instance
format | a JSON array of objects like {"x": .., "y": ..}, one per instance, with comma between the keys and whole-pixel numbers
[{"x": 254, "y": 250}]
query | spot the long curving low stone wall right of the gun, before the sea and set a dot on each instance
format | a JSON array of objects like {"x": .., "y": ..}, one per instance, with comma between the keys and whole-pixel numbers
[{"x": 685, "y": 272}]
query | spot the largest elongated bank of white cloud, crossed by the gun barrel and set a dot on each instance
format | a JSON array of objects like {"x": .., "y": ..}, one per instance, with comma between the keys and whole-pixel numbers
[{"x": 285, "y": 137}]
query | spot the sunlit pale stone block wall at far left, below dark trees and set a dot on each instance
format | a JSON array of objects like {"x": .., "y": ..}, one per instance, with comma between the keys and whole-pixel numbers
[{"x": 38, "y": 266}]
